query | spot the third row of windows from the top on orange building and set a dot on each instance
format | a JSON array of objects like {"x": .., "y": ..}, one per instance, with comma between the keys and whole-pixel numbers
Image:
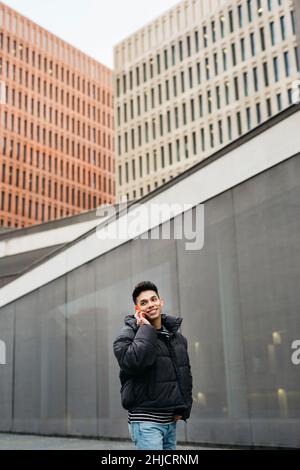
[{"x": 11, "y": 72}]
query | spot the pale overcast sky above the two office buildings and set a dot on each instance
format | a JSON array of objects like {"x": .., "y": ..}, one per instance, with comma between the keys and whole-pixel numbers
[{"x": 93, "y": 26}]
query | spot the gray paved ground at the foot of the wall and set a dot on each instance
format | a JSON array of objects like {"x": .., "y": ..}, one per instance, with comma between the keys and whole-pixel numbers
[{"x": 28, "y": 442}]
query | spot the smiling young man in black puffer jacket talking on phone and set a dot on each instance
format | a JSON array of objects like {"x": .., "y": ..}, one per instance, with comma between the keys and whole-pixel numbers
[{"x": 155, "y": 375}]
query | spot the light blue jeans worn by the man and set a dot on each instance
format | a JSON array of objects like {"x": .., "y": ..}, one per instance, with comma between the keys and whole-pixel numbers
[{"x": 153, "y": 436}]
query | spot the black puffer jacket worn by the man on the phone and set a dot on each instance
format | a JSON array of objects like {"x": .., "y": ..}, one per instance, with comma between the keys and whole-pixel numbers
[{"x": 155, "y": 368}]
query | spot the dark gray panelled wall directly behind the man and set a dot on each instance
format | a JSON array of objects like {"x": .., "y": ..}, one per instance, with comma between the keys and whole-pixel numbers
[{"x": 239, "y": 298}]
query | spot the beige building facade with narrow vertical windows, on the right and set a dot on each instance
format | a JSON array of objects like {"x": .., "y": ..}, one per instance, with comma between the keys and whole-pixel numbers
[{"x": 196, "y": 78}]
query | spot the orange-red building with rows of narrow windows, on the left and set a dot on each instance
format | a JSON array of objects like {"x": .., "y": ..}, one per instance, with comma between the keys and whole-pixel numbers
[{"x": 56, "y": 126}]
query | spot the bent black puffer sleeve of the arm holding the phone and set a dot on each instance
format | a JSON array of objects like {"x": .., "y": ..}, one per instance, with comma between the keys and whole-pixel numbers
[{"x": 136, "y": 352}]
